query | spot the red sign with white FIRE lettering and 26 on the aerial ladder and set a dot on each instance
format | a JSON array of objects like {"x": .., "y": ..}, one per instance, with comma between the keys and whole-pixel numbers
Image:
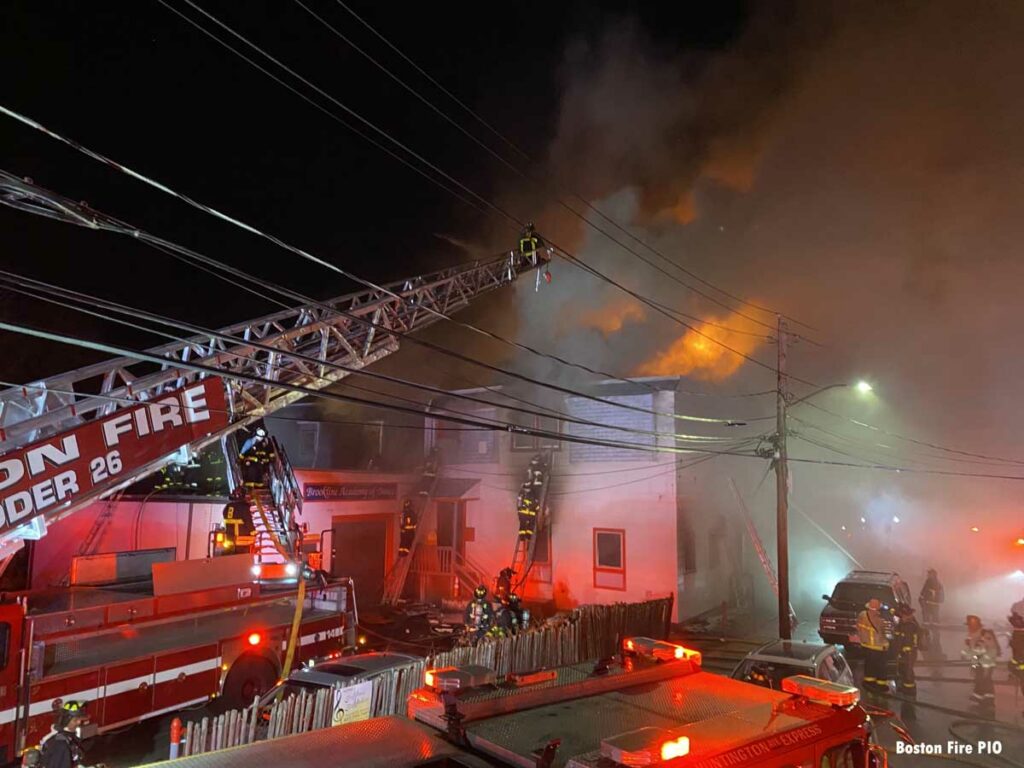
[{"x": 61, "y": 470}]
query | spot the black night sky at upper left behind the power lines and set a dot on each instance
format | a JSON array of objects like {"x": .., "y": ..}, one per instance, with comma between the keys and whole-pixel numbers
[{"x": 139, "y": 84}]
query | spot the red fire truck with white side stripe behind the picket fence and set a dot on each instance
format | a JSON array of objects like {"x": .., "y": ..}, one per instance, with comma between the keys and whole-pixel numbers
[{"x": 136, "y": 657}]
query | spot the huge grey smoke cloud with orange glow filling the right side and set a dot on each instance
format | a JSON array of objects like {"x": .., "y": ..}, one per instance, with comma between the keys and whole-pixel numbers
[{"x": 861, "y": 168}]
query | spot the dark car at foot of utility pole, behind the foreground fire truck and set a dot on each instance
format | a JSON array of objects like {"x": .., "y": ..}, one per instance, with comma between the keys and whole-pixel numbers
[{"x": 776, "y": 661}]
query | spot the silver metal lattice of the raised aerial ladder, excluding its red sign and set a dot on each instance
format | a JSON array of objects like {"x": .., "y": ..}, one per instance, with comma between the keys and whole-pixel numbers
[{"x": 304, "y": 347}]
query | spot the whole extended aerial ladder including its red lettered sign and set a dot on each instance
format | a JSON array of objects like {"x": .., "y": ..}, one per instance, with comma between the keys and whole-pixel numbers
[{"x": 52, "y": 420}]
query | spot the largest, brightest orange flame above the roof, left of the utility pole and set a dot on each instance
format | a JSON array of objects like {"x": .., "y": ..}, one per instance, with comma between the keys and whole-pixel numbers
[{"x": 700, "y": 353}]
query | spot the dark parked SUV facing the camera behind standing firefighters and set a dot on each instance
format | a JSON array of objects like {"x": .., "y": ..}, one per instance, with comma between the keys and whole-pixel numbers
[{"x": 838, "y": 624}]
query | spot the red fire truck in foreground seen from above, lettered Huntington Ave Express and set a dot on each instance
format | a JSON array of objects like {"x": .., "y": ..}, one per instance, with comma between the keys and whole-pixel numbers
[{"x": 651, "y": 706}]
